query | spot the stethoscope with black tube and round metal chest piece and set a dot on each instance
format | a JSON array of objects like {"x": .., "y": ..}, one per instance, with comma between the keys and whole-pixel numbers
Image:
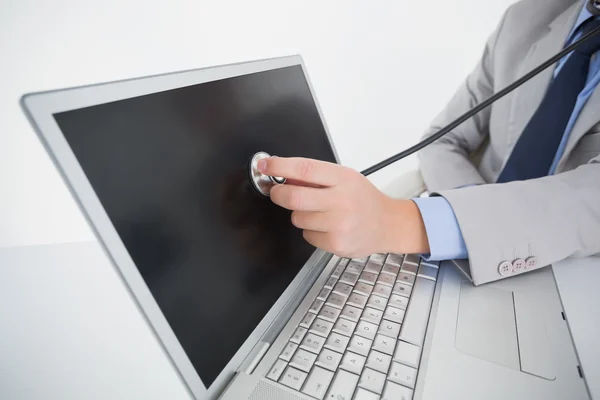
[{"x": 263, "y": 183}]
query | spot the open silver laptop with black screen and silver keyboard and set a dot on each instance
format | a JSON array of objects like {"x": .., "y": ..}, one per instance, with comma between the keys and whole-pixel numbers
[{"x": 243, "y": 306}]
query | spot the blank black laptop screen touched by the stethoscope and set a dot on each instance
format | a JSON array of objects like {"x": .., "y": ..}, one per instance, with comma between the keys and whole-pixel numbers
[{"x": 170, "y": 169}]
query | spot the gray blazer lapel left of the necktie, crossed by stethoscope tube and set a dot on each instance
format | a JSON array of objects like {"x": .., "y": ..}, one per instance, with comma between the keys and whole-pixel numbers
[{"x": 530, "y": 95}]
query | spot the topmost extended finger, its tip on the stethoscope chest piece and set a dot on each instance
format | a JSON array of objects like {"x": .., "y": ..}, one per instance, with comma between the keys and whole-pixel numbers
[{"x": 301, "y": 169}]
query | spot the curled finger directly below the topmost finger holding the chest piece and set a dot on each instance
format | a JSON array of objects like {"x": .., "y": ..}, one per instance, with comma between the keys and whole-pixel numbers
[{"x": 302, "y": 198}]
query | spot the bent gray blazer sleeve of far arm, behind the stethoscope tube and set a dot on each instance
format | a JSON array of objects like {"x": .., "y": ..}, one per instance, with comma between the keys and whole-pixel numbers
[{"x": 445, "y": 164}]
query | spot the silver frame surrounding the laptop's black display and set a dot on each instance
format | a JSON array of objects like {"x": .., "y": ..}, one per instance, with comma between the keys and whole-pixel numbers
[{"x": 40, "y": 109}]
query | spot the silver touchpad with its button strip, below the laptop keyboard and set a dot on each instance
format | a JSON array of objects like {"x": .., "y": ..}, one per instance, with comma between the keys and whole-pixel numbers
[{"x": 504, "y": 327}]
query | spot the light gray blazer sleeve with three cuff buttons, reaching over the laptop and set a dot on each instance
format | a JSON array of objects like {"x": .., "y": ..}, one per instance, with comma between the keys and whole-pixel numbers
[{"x": 549, "y": 218}]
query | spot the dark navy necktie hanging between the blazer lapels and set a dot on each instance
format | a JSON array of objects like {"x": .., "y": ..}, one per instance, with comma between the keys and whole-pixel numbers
[{"x": 536, "y": 148}]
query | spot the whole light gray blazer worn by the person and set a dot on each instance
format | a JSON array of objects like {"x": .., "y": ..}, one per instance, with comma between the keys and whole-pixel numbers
[{"x": 550, "y": 218}]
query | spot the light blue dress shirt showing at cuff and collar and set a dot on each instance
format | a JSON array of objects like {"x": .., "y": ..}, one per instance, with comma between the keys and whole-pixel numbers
[{"x": 446, "y": 241}]
